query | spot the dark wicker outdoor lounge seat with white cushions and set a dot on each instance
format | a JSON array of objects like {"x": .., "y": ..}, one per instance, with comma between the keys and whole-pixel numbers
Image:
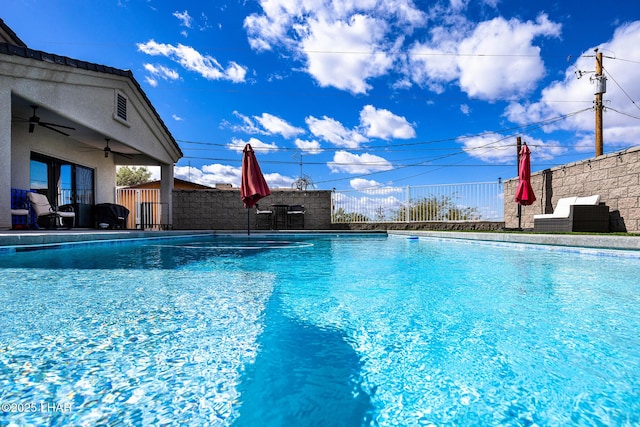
[{"x": 583, "y": 214}]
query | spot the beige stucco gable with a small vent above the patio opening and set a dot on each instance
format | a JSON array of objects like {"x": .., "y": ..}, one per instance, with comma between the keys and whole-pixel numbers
[{"x": 88, "y": 98}]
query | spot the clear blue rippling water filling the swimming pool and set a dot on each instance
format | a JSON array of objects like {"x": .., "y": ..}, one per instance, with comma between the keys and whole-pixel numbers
[{"x": 319, "y": 331}]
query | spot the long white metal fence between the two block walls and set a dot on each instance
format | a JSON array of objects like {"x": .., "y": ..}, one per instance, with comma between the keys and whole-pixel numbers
[{"x": 481, "y": 201}]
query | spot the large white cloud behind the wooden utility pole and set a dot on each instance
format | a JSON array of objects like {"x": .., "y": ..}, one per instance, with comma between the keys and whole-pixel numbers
[{"x": 572, "y": 94}]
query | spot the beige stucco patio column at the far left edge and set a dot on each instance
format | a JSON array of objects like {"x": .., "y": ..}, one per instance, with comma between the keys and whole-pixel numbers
[{"x": 5, "y": 157}]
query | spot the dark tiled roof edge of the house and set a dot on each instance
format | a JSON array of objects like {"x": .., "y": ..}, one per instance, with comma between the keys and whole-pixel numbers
[{"x": 18, "y": 48}]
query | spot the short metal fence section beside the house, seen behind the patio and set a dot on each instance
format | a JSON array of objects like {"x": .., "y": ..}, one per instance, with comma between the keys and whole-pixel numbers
[{"x": 145, "y": 208}]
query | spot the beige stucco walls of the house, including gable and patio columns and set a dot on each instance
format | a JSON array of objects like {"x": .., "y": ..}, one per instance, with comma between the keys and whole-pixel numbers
[{"x": 85, "y": 99}]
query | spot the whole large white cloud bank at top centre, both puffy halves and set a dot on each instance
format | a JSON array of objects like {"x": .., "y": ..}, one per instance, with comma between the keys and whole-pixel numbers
[{"x": 348, "y": 44}]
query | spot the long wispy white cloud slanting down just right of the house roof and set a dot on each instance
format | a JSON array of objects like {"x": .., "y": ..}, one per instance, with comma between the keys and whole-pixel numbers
[{"x": 191, "y": 60}]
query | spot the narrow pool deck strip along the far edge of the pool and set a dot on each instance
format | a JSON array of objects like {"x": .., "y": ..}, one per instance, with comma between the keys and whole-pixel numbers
[{"x": 48, "y": 238}]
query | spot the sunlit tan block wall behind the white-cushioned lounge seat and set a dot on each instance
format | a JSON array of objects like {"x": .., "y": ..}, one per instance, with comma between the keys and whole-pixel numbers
[{"x": 615, "y": 177}]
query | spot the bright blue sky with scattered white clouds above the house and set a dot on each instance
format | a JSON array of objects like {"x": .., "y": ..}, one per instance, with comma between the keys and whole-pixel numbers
[{"x": 362, "y": 93}]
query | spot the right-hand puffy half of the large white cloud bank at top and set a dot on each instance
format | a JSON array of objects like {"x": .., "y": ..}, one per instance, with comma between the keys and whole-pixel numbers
[{"x": 495, "y": 60}]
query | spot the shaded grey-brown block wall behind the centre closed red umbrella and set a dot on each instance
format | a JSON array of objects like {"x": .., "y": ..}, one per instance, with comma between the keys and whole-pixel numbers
[{"x": 223, "y": 209}]
